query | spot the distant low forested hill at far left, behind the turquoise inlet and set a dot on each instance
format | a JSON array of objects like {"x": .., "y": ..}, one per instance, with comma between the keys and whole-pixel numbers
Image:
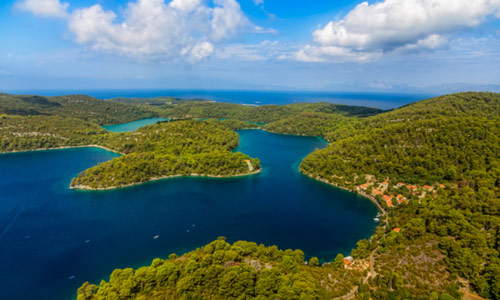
[{"x": 74, "y": 106}]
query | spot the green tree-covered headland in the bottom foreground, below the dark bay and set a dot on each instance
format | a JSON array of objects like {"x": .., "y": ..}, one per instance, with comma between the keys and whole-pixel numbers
[{"x": 219, "y": 270}]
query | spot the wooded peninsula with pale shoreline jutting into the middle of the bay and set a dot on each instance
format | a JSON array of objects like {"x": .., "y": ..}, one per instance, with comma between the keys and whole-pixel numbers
[{"x": 169, "y": 149}]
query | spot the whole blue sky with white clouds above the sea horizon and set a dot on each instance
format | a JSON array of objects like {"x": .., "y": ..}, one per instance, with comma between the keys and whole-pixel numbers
[{"x": 323, "y": 45}]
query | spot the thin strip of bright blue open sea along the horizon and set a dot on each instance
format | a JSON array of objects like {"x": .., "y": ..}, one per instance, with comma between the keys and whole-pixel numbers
[{"x": 380, "y": 100}]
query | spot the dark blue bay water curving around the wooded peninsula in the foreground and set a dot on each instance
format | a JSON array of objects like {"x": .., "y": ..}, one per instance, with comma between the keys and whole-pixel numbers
[{"x": 52, "y": 239}]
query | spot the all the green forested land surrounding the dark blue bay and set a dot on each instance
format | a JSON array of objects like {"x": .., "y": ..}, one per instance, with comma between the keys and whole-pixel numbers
[{"x": 432, "y": 166}]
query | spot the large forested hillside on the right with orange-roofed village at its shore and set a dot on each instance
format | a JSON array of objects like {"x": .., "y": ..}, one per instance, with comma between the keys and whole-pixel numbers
[{"x": 435, "y": 167}]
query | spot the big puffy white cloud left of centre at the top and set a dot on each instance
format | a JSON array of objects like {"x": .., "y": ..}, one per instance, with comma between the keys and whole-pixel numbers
[{"x": 154, "y": 29}]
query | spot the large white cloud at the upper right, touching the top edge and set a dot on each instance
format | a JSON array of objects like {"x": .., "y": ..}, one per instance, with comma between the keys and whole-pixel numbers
[{"x": 396, "y": 26}]
